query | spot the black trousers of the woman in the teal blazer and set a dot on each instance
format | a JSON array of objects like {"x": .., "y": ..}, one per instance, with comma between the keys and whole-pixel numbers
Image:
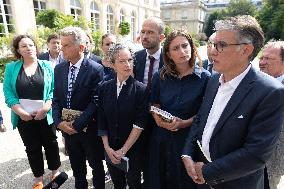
[{"x": 35, "y": 134}]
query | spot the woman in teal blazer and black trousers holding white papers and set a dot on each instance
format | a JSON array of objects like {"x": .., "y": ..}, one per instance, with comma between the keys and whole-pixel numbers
[{"x": 28, "y": 89}]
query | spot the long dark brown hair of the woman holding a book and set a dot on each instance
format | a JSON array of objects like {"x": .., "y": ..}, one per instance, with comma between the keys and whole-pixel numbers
[{"x": 169, "y": 68}]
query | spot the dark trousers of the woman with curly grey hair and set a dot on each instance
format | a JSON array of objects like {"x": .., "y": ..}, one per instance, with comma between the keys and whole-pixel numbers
[{"x": 132, "y": 177}]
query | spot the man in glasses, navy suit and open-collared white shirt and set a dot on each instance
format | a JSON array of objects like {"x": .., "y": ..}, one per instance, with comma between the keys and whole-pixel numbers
[{"x": 241, "y": 115}]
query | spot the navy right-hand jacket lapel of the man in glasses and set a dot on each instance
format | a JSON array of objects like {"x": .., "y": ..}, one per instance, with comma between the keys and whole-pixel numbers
[{"x": 237, "y": 97}]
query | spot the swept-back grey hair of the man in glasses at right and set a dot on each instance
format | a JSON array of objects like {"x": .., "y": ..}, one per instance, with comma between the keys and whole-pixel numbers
[{"x": 249, "y": 31}]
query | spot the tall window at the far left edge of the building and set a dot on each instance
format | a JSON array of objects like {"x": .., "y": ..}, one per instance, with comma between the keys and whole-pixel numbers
[{"x": 6, "y": 25}]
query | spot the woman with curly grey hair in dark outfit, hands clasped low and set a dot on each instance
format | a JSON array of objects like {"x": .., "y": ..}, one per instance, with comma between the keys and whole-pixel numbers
[{"x": 123, "y": 103}]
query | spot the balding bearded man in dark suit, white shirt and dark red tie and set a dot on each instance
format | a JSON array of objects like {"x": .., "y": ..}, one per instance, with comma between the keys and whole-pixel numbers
[{"x": 151, "y": 35}]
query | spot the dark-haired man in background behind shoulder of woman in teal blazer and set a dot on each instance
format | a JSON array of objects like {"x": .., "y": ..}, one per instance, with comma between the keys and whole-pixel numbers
[{"x": 54, "y": 49}]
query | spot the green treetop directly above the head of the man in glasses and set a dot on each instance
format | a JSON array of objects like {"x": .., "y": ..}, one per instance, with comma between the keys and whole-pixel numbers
[{"x": 241, "y": 7}]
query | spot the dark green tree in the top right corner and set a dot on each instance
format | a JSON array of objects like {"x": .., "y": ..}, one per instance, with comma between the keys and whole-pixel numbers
[{"x": 271, "y": 17}]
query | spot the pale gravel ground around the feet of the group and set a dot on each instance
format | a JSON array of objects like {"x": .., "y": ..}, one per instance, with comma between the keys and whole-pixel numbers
[{"x": 15, "y": 171}]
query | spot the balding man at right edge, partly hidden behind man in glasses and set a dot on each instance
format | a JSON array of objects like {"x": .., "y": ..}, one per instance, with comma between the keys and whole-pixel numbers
[{"x": 272, "y": 63}]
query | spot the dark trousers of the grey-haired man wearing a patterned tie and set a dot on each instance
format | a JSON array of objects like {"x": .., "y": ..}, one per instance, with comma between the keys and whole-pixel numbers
[{"x": 81, "y": 147}]
